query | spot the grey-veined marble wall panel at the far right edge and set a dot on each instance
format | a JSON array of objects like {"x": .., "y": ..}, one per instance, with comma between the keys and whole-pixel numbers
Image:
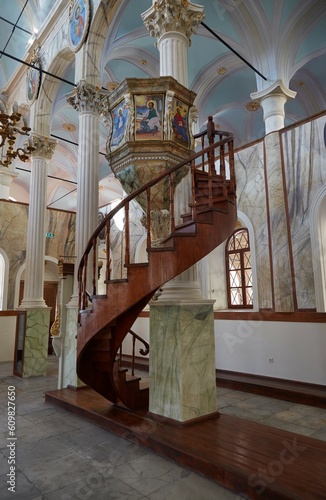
[{"x": 305, "y": 173}]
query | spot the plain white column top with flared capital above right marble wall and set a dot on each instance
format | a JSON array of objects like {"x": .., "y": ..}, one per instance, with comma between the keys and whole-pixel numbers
[{"x": 273, "y": 100}]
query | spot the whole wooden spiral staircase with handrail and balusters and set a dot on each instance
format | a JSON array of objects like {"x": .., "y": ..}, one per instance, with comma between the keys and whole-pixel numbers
[{"x": 104, "y": 320}]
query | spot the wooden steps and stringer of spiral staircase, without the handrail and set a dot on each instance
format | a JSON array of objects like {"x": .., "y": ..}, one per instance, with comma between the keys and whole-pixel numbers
[{"x": 103, "y": 329}]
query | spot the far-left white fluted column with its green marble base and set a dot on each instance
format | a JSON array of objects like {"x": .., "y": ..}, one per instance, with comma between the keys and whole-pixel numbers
[{"x": 38, "y": 314}]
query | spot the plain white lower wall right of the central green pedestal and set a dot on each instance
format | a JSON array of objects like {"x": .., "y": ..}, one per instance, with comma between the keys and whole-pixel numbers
[{"x": 298, "y": 349}]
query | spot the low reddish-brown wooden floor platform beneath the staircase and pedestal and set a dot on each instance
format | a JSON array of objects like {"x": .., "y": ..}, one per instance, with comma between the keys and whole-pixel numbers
[{"x": 245, "y": 457}]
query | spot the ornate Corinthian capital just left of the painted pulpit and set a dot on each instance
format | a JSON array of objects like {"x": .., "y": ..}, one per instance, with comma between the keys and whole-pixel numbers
[{"x": 86, "y": 97}]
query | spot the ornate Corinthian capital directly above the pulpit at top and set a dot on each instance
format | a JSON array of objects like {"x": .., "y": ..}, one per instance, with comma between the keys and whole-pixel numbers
[{"x": 173, "y": 15}]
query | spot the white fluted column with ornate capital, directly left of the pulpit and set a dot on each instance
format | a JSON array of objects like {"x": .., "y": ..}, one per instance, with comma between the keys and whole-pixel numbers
[{"x": 90, "y": 102}]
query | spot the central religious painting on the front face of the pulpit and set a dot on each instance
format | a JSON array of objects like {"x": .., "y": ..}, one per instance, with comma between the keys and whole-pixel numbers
[{"x": 148, "y": 112}]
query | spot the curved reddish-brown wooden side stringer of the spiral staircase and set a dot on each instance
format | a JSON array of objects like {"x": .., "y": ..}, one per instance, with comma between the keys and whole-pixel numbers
[{"x": 115, "y": 313}]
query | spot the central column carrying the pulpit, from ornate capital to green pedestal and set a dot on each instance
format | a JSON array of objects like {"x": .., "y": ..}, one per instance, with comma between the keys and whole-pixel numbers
[{"x": 182, "y": 359}]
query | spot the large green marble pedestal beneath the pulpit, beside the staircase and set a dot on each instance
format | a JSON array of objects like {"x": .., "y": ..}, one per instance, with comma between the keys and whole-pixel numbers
[{"x": 182, "y": 361}]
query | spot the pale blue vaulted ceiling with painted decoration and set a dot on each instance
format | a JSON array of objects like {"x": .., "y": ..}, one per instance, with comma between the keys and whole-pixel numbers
[{"x": 262, "y": 40}]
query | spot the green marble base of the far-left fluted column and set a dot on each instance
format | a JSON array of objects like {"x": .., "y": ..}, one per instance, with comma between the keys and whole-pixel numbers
[{"x": 36, "y": 342}]
